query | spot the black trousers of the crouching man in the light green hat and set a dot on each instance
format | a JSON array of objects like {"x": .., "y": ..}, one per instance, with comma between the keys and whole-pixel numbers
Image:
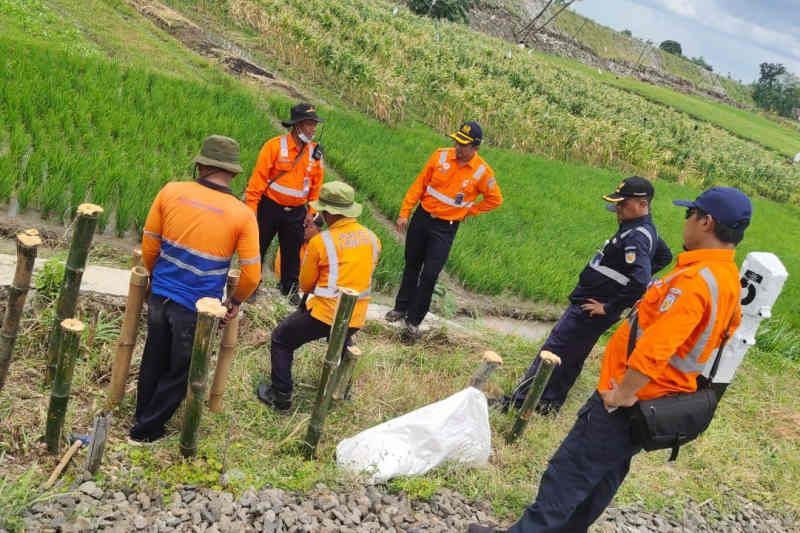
[{"x": 296, "y": 330}]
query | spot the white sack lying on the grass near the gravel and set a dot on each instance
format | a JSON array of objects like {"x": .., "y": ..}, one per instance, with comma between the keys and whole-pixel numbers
[{"x": 454, "y": 429}]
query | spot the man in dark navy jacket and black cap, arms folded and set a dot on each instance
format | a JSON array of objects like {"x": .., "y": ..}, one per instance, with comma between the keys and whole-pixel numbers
[{"x": 612, "y": 281}]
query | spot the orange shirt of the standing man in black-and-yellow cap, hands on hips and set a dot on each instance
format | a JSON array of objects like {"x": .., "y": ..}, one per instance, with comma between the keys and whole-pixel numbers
[{"x": 448, "y": 190}]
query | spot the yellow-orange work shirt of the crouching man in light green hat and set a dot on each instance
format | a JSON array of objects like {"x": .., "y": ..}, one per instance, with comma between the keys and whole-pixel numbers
[{"x": 345, "y": 255}]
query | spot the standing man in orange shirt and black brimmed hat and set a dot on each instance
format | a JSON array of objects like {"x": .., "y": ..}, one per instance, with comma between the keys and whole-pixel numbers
[{"x": 288, "y": 174}]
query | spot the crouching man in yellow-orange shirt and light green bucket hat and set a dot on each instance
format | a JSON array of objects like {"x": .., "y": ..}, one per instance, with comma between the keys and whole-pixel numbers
[{"x": 344, "y": 255}]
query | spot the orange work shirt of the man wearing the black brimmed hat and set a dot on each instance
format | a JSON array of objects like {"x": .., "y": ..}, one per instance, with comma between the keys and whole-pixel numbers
[{"x": 300, "y": 181}]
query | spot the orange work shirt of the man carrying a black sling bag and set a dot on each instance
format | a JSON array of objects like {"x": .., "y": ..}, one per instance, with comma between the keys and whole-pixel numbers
[{"x": 681, "y": 321}]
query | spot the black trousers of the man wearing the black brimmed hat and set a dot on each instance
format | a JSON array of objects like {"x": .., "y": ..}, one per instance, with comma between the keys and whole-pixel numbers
[{"x": 287, "y": 223}]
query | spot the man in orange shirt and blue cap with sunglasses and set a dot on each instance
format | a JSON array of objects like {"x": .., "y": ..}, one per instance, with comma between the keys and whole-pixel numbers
[{"x": 682, "y": 320}]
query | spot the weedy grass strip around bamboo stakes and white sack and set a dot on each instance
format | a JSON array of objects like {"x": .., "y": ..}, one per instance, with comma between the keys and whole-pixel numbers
[{"x": 750, "y": 448}]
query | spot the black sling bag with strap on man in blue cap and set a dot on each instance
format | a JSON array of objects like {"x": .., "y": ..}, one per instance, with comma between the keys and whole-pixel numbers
[{"x": 673, "y": 420}]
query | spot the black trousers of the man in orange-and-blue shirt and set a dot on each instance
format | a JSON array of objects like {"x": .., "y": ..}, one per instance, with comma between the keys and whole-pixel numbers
[{"x": 164, "y": 370}]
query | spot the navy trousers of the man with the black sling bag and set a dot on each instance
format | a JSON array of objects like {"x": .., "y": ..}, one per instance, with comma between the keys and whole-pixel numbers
[{"x": 584, "y": 474}]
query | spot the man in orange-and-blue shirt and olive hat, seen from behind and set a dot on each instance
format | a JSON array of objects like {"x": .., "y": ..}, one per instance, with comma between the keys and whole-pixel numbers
[{"x": 190, "y": 236}]
